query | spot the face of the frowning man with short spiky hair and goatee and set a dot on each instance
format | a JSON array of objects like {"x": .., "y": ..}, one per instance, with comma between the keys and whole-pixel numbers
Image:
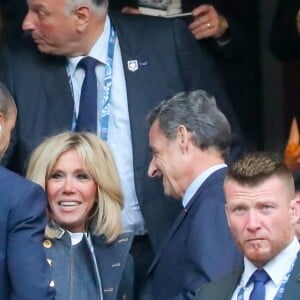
[{"x": 261, "y": 218}]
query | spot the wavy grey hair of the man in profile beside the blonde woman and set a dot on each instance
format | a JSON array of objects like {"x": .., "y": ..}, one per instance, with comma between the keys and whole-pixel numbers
[{"x": 198, "y": 112}]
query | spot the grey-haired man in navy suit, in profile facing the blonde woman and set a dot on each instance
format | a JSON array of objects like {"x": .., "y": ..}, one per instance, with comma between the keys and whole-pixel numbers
[{"x": 189, "y": 138}]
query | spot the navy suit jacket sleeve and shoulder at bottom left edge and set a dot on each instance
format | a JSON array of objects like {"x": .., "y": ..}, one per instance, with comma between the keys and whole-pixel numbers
[{"x": 24, "y": 274}]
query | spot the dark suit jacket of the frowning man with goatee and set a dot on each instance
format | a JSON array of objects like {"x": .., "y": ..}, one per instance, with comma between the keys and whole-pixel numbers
[{"x": 223, "y": 289}]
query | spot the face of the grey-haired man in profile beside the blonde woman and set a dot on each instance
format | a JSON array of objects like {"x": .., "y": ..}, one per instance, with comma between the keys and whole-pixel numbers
[{"x": 165, "y": 162}]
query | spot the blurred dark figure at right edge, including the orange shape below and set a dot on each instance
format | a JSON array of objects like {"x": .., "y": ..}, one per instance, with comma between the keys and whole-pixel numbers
[{"x": 285, "y": 46}]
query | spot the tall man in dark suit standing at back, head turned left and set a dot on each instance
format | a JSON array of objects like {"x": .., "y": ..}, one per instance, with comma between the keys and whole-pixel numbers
[{"x": 153, "y": 59}]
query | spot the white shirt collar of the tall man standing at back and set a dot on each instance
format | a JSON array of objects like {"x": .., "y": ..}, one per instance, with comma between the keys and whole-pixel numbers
[{"x": 98, "y": 51}]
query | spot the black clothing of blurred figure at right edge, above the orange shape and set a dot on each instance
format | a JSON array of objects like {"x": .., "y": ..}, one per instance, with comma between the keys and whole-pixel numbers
[{"x": 284, "y": 43}]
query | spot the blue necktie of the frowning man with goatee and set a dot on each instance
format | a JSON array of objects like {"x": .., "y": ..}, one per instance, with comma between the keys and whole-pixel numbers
[{"x": 259, "y": 278}]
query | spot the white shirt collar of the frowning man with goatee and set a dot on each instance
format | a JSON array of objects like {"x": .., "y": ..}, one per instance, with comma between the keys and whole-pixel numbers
[{"x": 278, "y": 267}]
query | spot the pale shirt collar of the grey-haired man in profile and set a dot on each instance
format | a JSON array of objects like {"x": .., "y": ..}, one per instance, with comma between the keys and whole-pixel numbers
[{"x": 198, "y": 181}]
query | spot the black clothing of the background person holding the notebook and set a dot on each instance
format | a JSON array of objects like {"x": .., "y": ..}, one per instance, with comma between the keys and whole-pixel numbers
[{"x": 237, "y": 61}]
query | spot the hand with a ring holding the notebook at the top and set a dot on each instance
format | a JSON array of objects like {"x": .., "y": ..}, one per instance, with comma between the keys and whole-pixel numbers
[{"x": 207, "y": 22}]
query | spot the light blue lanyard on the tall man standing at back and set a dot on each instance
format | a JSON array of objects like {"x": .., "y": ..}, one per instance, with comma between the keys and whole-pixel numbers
[{"x": 105, "y": 111}]
